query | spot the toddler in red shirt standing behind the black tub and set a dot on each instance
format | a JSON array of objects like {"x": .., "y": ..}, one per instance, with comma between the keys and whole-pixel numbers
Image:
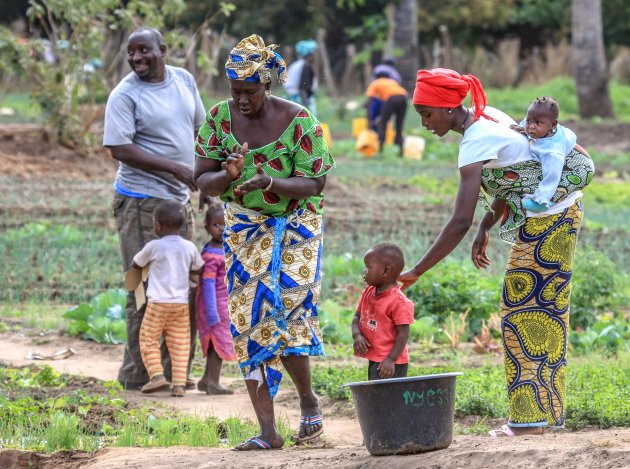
[{"x": 380, "y": 328}]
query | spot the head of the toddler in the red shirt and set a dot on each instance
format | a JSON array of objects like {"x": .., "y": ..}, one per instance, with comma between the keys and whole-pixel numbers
[{"x": 383, "y": 264}]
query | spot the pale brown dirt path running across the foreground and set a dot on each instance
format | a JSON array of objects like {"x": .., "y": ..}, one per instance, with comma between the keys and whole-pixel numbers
[{"x": 341, "y": 447}]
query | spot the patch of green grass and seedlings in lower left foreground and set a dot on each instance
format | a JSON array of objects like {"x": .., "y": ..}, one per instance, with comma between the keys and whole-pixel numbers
[{"x": 40, "y": 414}]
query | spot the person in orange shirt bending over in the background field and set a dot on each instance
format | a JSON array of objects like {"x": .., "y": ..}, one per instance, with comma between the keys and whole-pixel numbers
[{"x": 393, "y": 100}]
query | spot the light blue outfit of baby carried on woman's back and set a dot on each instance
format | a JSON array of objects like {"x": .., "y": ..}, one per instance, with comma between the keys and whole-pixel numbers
[{"x": 551, "y": 152}]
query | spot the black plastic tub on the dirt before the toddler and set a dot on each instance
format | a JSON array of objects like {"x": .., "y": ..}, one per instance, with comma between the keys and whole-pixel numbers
[{"x": 406, "y": 415}]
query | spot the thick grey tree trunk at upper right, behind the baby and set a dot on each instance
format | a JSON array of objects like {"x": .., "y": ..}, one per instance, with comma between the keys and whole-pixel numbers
[{"x": 591, "y": 76}]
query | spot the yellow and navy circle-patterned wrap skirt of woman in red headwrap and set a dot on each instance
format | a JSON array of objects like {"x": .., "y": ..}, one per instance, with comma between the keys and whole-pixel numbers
[{"x": 535, "y": 317}]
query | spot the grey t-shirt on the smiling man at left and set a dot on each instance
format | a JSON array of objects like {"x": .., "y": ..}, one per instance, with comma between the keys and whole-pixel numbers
[{"x": 161, "y": 119}]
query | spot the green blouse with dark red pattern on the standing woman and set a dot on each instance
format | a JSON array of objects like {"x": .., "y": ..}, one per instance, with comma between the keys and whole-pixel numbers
[{"x": 301, "y": 151}]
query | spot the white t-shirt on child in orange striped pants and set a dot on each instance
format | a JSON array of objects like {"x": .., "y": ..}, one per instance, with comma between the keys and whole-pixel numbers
[{"x": 170, "y": 260}]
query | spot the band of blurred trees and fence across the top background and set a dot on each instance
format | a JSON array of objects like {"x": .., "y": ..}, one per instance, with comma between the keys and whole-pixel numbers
[{"x": 505, "y": 42}]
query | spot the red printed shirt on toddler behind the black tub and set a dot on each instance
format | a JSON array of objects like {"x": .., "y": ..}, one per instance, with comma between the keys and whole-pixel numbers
[{"x": 379, "y": 314}]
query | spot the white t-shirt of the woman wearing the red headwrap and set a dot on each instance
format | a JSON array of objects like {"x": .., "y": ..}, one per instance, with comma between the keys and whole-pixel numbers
[{"x": 498, "y": 146}]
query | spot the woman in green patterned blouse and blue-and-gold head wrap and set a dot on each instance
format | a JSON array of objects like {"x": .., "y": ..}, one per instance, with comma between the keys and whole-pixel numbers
[{"x": 267, "y": 159}]
